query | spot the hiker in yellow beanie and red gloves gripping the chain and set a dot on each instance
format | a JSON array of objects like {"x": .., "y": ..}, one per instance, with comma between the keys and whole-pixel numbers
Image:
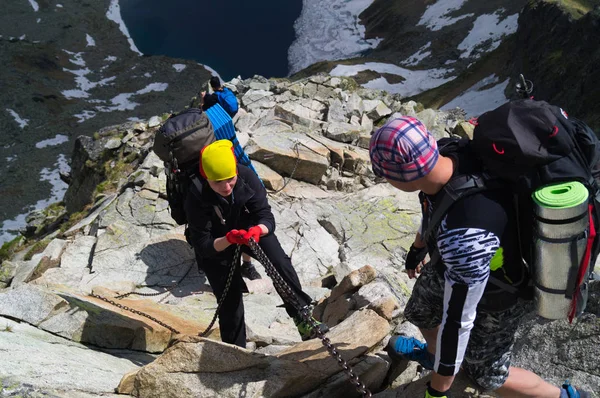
[{"x": 230, "y": 208}]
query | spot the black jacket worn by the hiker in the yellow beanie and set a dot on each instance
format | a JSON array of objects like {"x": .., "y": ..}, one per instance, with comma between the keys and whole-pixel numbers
[{"x": 211, "y": 216}]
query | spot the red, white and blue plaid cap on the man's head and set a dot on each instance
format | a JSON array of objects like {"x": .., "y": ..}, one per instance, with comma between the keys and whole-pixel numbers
[{"x": 403, "y": 150}]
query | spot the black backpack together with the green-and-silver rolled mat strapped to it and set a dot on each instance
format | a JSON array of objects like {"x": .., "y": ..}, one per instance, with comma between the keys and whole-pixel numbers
[{"x": 550, "y": 162}]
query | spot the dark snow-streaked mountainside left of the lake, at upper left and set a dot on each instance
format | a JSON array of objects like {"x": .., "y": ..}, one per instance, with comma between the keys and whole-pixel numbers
[{"x": 68, "y": 70}]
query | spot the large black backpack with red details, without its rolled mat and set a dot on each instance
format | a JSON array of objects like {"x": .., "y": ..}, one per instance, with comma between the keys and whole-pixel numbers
[{"x": 522, "y": 146}]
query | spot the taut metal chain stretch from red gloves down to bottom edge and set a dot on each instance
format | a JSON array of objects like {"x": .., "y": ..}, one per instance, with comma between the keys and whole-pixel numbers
[{"x": 288, "y": 295}]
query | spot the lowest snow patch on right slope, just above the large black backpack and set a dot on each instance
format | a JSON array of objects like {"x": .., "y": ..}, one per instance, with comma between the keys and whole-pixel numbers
[{"x": 475, "y": 101}]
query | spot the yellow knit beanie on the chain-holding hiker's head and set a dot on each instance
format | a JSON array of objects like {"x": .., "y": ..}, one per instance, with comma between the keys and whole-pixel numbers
[{"x": 217, "y": 161}]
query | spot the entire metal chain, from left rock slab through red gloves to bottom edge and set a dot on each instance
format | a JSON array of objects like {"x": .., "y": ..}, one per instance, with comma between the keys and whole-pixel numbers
[{"x": 286, "y": 293}]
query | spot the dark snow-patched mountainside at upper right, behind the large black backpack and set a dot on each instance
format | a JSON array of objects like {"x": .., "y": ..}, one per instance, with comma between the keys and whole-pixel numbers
[{"x": 554, "y": 44}]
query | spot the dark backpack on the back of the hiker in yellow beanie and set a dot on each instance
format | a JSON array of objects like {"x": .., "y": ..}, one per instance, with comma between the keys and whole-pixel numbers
[{"x": 178, "y": 143}]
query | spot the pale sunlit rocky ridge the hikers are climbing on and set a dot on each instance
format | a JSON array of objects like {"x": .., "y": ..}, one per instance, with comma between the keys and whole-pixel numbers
[{"x": 62, "y": 335}]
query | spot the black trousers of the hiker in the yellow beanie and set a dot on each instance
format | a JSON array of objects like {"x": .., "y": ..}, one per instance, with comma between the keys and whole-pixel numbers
[{"x": 231, "y": 314}]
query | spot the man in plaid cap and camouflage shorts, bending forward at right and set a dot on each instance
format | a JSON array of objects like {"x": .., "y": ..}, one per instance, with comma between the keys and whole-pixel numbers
[{"x": 467, "y": 322}]
